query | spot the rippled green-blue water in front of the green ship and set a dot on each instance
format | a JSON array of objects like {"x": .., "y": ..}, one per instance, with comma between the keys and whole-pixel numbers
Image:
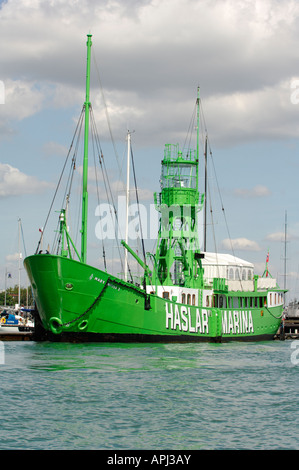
[{"x": 114, "y": 396}]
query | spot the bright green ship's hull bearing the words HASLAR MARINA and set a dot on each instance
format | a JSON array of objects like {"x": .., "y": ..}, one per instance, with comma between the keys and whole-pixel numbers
[{"x": 77, "y": 301}]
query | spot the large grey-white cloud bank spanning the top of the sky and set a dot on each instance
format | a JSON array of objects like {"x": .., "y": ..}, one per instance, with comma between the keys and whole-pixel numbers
[{"x": 152, "y": 54}]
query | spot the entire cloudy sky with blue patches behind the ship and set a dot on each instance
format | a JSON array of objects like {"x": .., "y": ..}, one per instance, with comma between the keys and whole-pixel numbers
[{"x": 149, "y": 57}]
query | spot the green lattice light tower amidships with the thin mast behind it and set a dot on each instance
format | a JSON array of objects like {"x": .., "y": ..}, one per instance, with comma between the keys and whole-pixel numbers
[{"x": 178, "y": 258}]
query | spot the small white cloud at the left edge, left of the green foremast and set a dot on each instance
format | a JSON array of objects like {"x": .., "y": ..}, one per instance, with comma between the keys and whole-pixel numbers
[{"x": 15, "y": 183}]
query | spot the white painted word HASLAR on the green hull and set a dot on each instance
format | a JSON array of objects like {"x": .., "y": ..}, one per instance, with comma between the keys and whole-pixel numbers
[{"x": 179, "y": 318}]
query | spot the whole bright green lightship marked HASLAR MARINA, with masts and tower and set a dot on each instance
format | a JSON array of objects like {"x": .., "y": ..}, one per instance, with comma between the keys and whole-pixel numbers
[{"x": 187, "y": 295}]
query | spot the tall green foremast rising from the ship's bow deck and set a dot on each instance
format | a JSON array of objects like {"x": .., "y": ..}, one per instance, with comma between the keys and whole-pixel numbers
[{"x": 87, "y": 105}]
